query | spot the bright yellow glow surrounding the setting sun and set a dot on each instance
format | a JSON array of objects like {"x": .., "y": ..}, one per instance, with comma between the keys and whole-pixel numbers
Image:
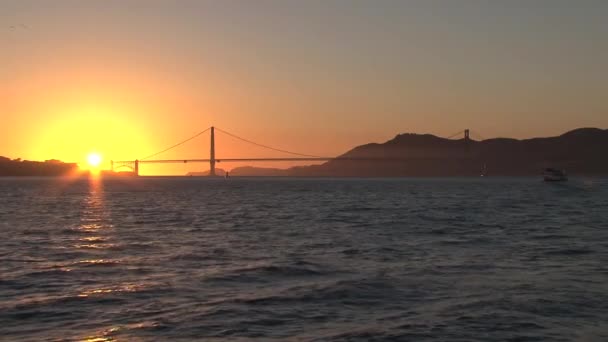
[{"x": 87, "y": 122}]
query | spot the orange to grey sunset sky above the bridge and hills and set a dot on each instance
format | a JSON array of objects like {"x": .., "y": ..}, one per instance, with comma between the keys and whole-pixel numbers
[{"x": 128, "y": 78}]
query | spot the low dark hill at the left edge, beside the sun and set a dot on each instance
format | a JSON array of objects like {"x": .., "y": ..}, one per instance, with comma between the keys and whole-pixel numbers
[{"x": 18, "y": 167}]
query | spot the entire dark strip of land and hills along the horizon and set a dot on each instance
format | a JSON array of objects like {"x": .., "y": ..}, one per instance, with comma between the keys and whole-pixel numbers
[{"x": 579, "y": 152}]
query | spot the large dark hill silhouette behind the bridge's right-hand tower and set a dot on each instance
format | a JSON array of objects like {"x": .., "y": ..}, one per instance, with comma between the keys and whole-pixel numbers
[{"x": 581, "y": 151}]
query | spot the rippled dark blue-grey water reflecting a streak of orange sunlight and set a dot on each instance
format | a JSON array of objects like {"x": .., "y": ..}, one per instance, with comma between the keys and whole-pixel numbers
[{"x": 154, "y": 259}]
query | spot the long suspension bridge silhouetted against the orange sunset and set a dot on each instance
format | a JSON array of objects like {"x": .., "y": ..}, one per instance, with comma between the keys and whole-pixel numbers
[{"x": 134, "y": 165}]
